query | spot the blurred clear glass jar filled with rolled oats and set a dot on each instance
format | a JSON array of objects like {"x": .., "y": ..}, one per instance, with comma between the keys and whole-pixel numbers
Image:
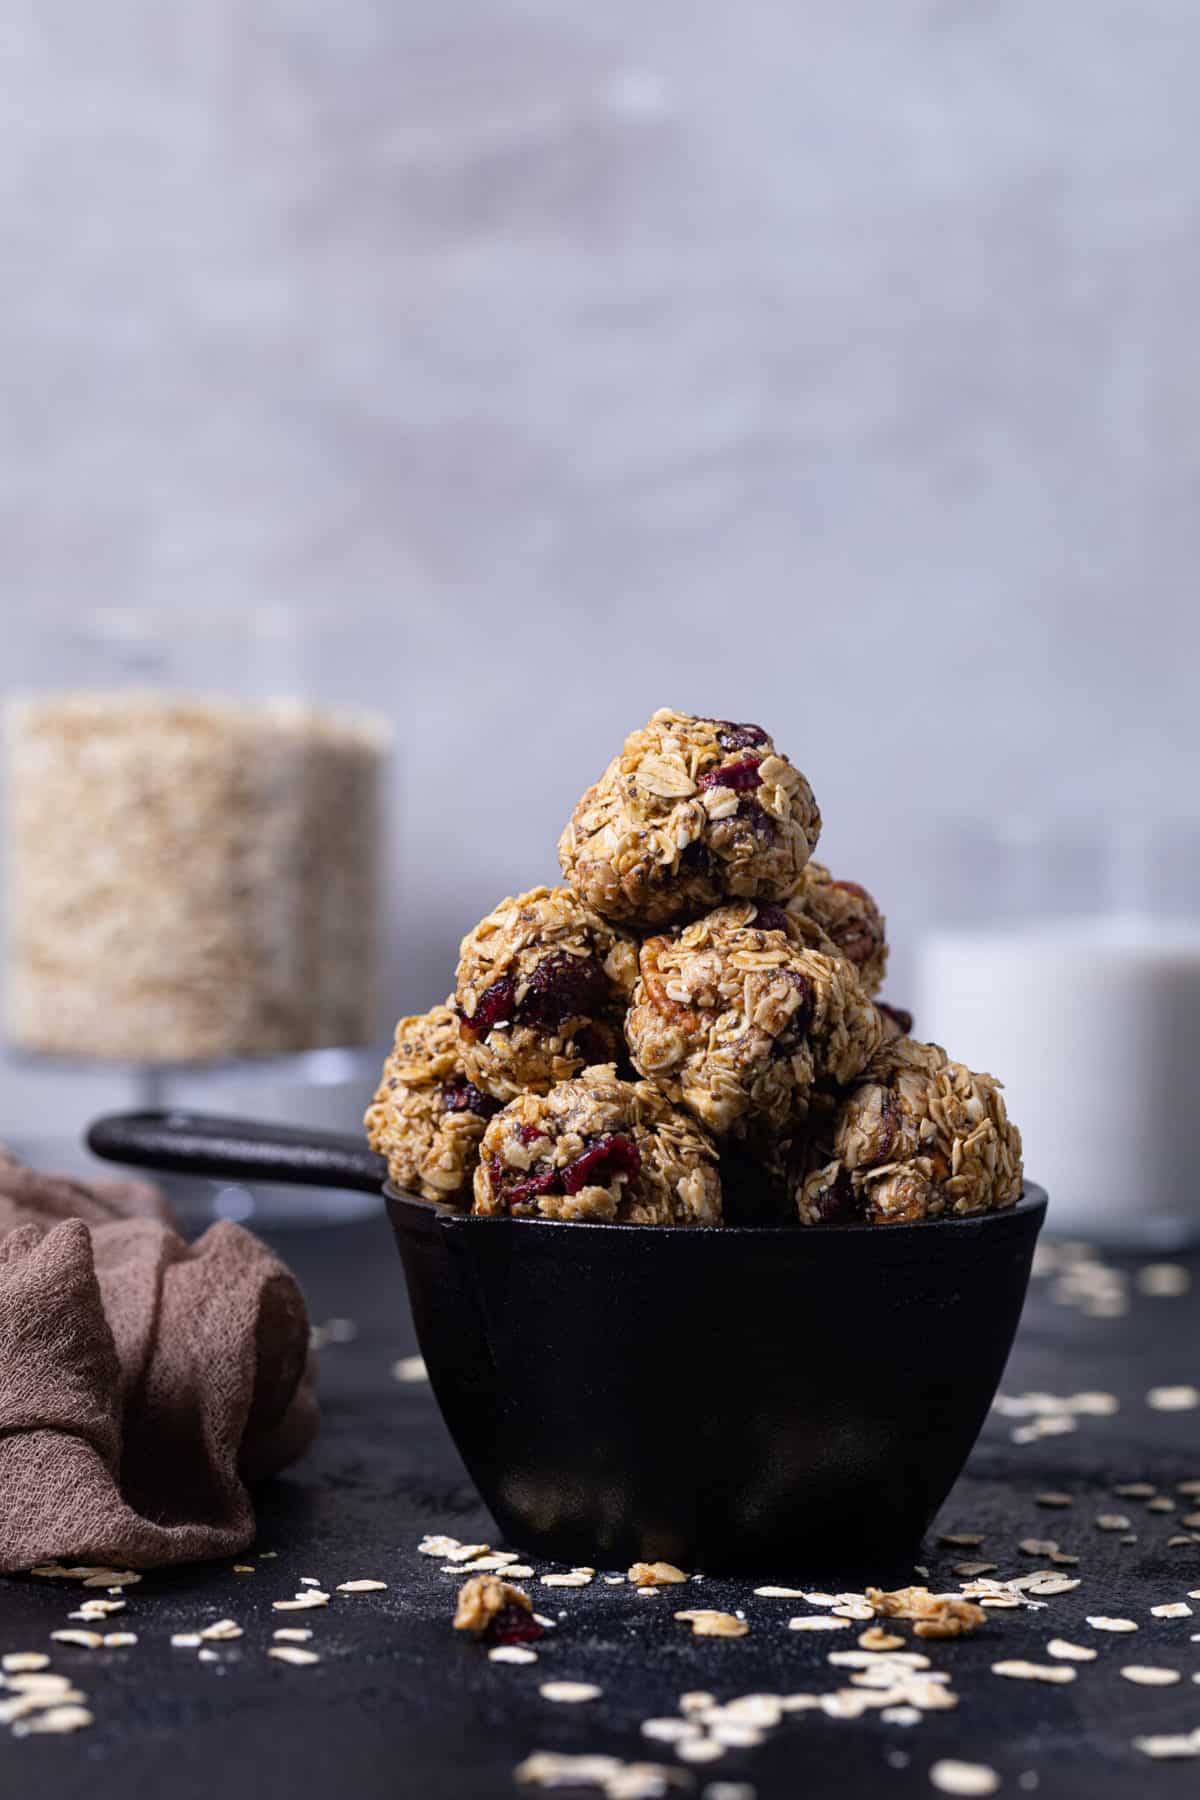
[{"x": 193, "y": 831}]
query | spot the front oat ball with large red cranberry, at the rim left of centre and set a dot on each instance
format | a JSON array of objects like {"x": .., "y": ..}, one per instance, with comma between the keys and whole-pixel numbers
[{"x": 598, "y": 1149}]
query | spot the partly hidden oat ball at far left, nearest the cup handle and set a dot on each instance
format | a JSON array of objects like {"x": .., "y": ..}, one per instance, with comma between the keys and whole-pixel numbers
[{"x": 427, "y": 1115}]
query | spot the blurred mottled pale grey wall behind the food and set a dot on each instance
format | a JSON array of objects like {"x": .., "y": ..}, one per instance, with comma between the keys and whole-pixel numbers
[{"x": 787, "y": 363}]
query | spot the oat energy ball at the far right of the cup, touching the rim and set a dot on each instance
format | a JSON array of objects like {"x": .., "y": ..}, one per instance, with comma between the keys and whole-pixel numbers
[{"x": 918, "y": 1137}]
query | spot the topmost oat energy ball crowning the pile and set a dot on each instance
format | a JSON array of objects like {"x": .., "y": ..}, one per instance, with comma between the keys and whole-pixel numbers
[{"x": 694, "y": 813}]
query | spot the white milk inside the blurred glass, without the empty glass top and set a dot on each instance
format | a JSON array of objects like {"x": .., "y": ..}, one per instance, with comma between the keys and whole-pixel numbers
[{"x": 1095, "y": 1029}]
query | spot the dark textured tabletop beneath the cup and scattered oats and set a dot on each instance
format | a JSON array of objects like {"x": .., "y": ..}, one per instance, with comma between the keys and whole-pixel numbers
[{"x": 404, "y": 1707}]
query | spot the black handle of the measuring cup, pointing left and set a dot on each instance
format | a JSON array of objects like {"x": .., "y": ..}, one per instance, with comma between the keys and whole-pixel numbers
[{"x": 197, "y": 1144}]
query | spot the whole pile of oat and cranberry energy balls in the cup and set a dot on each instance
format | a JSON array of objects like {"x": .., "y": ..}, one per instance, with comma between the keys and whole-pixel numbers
[{"x": 688, "y": 1032}]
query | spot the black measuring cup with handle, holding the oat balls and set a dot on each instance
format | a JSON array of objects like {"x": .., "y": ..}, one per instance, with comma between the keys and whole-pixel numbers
[{"x": 730, "y": 1399}]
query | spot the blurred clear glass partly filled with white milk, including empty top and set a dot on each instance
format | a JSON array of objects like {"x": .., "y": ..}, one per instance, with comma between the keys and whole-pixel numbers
[{"x": 1064, "y": 958}]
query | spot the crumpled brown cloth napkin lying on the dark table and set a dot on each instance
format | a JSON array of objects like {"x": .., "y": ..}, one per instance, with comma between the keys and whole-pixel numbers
[{"x": 143, "y": 1381}]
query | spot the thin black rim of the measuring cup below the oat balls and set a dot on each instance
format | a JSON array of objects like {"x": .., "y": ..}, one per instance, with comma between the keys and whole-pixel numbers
[{"x": 1032, "y": 1201}]
